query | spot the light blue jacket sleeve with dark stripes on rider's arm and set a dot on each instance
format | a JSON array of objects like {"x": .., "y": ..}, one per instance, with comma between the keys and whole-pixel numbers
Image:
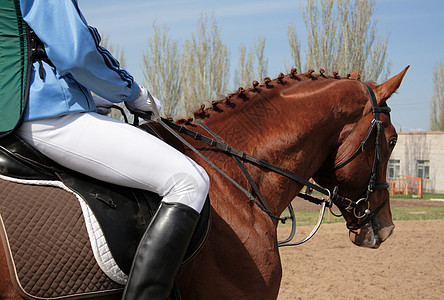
[{"x": 73, "y": 47}]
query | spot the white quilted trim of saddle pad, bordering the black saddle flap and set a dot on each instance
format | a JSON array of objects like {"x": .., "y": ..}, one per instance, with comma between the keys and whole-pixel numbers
[{"x": 100, "y": 248}]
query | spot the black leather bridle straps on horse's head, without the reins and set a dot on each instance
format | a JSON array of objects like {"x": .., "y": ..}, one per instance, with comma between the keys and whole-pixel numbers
[{"x": 351, "y": 205}]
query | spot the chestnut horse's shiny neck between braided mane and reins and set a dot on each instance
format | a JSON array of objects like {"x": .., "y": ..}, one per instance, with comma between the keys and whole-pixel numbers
[{"x": 289, "y": 126}]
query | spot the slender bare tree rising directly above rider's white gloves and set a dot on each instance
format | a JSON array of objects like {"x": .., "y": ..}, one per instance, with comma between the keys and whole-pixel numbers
[{"x": 161, "y": 68}]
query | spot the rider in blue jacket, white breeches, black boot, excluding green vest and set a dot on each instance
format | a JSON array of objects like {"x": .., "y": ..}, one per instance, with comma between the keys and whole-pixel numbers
[{"x": 61, "y": 121}]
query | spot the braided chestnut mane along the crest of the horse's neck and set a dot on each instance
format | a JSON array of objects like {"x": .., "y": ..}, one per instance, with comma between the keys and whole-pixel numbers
[{"x": 243, "y": 95}]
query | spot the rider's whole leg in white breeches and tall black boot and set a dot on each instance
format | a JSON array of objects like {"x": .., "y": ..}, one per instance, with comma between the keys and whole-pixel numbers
[{"x": 118, "y": 153}]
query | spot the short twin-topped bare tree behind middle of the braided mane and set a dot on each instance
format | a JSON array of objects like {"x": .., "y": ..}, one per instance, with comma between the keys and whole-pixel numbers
[{"x": 245, "y": 71}]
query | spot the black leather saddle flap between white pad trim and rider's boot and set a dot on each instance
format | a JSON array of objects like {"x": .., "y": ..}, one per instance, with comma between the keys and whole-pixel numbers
[{"x": 122, "y": 213}]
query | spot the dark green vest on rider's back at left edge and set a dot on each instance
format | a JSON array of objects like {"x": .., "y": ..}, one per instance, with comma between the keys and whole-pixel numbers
[{"x": 15, "y": 65}]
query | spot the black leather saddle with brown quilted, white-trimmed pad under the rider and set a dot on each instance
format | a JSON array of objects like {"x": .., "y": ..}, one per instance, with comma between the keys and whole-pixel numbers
[{"x": 66, "y": 234}]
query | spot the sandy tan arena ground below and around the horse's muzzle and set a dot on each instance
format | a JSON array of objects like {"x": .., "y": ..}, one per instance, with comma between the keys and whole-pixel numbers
[{"x": 409, "y": 265}]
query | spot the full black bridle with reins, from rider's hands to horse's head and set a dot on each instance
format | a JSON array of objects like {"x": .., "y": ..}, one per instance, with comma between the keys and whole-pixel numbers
[{"x": 333, "y": 197}]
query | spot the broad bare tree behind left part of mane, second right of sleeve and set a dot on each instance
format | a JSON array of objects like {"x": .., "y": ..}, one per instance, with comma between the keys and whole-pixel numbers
[{"x": 204, "y": 65}]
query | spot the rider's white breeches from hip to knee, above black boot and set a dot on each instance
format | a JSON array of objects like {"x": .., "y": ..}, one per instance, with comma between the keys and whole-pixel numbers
[{"x": 119, "y": 153}]
